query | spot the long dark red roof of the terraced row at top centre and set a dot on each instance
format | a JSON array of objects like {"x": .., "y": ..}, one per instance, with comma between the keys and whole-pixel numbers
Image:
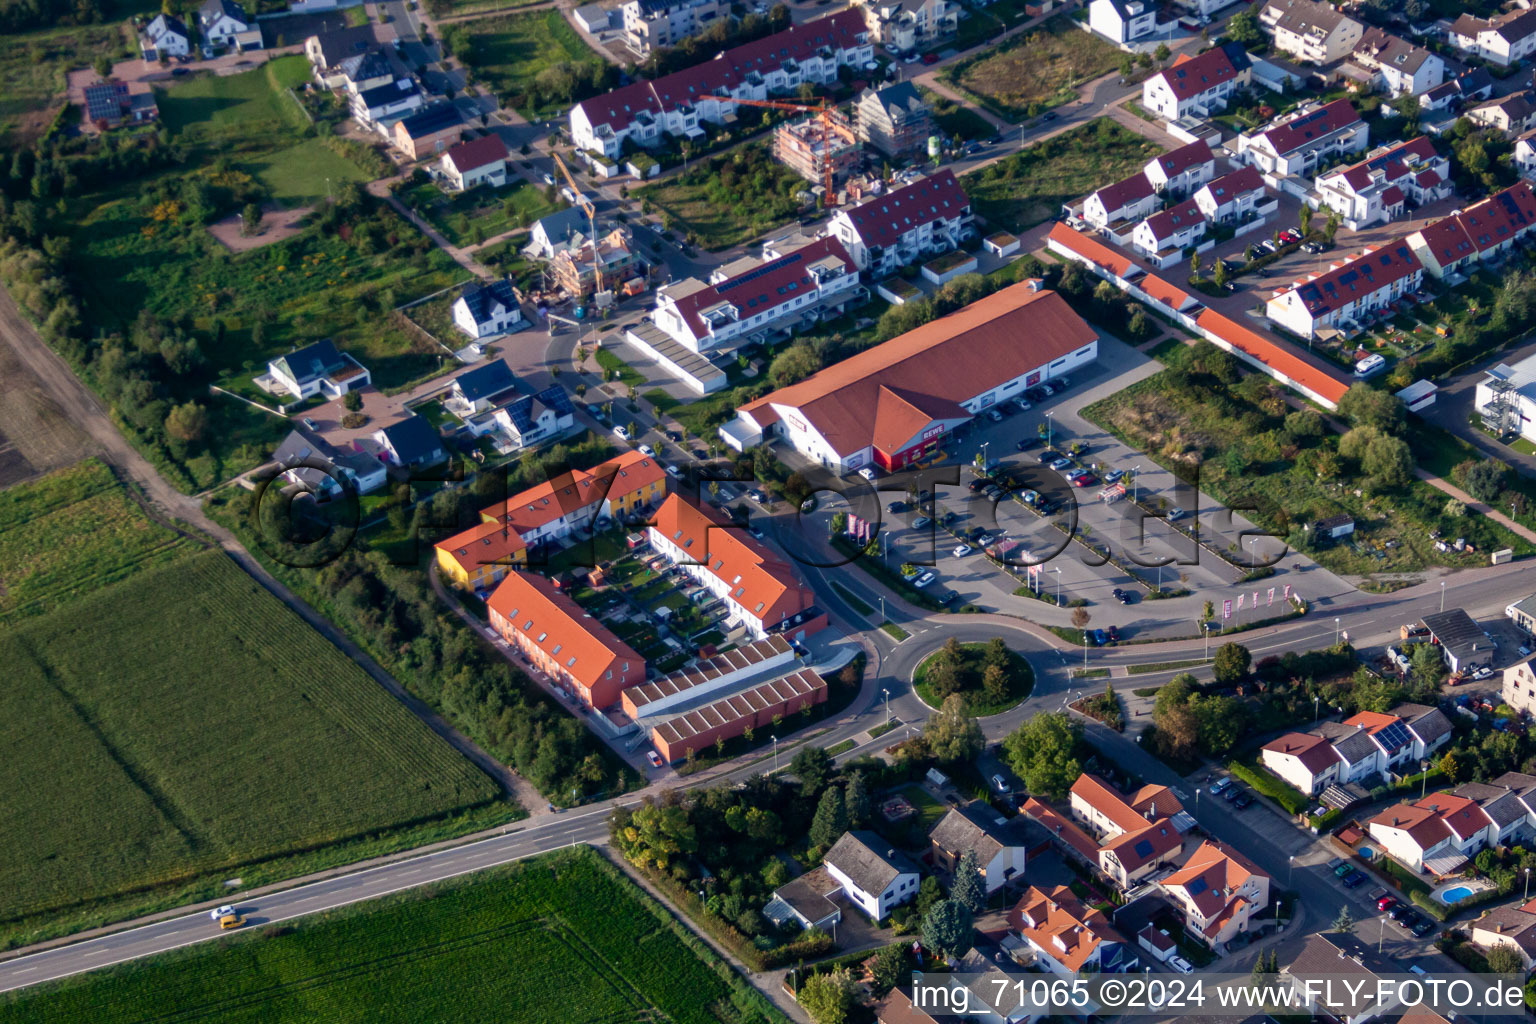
[{"x": 841, "y": 31}]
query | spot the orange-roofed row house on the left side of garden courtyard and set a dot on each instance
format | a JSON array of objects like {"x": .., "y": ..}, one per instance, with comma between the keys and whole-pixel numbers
[{"x": 563, "y": 641}]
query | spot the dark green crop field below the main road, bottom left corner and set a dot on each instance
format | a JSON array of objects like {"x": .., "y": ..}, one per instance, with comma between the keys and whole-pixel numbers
[{"x": 561, "y": 939}]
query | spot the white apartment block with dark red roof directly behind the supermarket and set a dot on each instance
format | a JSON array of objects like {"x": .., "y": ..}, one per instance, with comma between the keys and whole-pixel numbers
[{"x": 772, "y": 299}]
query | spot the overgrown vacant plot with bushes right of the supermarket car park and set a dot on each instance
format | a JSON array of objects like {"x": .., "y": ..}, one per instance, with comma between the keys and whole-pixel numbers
[{"x": 1200, "y": 418}]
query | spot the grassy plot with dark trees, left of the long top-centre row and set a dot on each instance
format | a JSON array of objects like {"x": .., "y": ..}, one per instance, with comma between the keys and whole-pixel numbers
[{"x": 511, "y": 51}]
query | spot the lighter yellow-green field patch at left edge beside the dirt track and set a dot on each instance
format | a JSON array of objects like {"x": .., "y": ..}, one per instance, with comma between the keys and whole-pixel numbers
[{"x": 110, "y": 538}]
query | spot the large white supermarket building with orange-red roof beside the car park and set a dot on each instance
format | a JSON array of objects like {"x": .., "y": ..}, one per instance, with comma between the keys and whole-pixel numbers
[{"x": 896, "y": 403}]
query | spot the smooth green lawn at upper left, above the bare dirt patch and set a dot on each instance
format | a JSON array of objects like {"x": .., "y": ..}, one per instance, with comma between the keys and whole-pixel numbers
[{"x": 254, "y": 101}]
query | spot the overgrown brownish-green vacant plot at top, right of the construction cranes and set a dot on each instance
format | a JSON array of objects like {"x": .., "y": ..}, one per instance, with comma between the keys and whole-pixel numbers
[{"x": 1034, "y": 71}]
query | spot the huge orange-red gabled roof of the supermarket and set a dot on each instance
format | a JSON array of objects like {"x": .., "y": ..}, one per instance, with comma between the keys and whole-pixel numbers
[{"x": 930, "y": 369}]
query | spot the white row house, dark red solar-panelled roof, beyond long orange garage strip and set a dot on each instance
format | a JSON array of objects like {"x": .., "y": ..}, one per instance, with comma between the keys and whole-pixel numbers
[{"x": 1342, "y": 296}]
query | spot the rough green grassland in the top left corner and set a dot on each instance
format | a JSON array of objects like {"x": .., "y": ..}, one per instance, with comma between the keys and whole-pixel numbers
[{"x": 33, "y": 70}]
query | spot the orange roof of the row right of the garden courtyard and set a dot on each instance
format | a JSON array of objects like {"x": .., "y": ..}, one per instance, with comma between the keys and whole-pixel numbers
[{"x": 760, "y": 581}]
